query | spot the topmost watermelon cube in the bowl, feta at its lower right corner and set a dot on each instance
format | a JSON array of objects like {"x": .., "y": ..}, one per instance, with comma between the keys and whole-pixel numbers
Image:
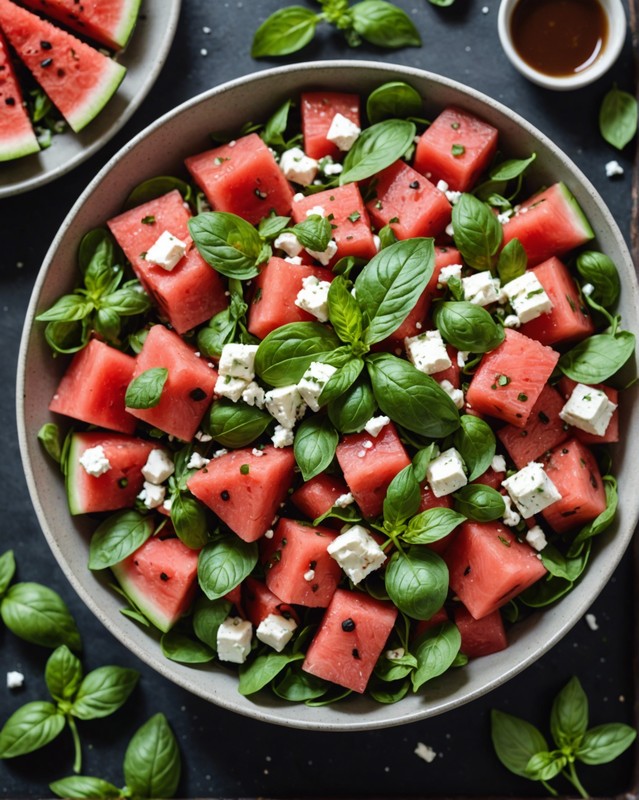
[{"x": 318, "y": 110}]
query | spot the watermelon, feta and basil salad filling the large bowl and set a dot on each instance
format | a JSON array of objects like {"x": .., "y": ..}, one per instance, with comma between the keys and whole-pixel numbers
[{"x": 340, "y": 397}]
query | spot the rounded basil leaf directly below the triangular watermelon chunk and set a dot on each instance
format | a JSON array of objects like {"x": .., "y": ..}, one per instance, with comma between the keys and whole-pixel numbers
[{"x": 224, "y": 563}]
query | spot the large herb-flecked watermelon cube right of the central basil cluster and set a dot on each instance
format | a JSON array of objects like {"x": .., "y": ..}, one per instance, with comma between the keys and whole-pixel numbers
[{"x": 510, "y": 378}]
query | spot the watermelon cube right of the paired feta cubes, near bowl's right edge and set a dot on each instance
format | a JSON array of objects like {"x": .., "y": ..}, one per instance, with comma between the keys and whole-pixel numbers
[{"x": 568, "y": 320}]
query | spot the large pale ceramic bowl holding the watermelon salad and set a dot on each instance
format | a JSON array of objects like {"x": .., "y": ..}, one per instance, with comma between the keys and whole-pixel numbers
[{"x": 160, "y": 150}]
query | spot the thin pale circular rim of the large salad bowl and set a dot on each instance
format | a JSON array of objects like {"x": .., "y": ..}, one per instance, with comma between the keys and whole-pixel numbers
[{"x": 188, "y": 678}]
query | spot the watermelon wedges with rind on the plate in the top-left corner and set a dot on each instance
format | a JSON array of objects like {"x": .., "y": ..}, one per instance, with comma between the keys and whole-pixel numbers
[{"x": 69, "y": 80}]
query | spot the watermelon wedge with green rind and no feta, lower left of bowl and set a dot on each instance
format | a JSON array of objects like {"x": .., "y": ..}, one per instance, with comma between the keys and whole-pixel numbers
[{"x": 160, "y": 577}]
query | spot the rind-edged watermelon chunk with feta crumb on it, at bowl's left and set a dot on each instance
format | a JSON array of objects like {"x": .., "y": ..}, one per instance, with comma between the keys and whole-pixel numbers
[{"x": 117, "y": 488}]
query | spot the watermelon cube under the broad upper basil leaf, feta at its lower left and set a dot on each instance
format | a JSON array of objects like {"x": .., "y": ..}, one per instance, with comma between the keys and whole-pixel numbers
[{"x": 345, "y": 208}]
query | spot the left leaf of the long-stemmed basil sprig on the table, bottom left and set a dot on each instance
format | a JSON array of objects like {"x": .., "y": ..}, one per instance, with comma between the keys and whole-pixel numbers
[{"x": 29, "y": 728}]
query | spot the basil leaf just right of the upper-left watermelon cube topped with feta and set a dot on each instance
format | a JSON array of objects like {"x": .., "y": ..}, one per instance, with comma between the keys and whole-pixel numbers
[{"x": 230, "y": 244}]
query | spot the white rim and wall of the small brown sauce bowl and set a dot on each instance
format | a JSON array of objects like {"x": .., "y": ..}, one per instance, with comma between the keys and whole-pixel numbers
[{"x": 616, "y": 16}]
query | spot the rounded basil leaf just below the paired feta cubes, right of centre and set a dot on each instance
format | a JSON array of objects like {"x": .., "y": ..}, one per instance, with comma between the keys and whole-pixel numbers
[{"x": 468, "y": 327}]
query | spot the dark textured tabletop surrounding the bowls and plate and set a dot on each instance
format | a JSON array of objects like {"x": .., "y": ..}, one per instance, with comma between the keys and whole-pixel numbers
[{"x": 229, "y": 756}]
